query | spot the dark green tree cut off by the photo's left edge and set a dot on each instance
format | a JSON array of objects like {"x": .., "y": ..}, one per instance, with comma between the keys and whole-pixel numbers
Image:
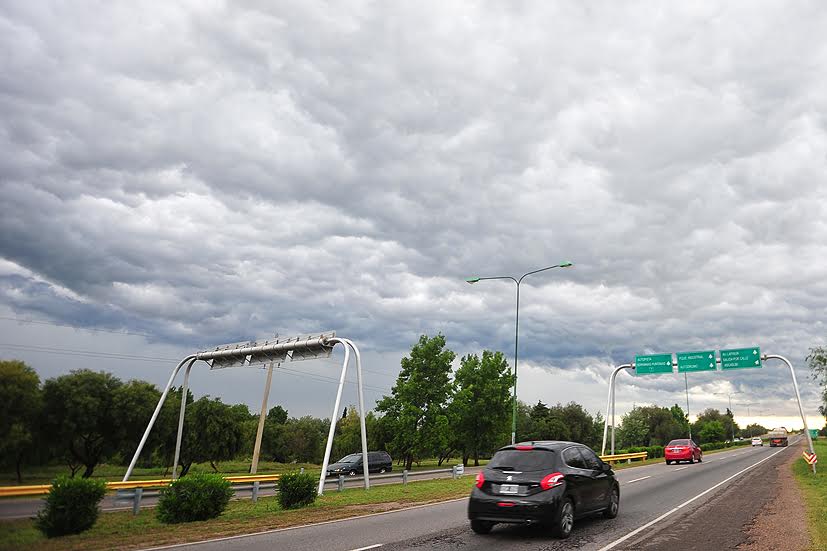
[{"x": 20, "y": 405}]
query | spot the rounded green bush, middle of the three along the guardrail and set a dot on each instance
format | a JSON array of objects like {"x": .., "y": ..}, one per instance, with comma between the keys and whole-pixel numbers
[{"x": 197, "y": 496}]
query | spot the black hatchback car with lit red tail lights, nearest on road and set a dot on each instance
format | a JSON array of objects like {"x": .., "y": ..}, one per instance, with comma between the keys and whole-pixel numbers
[{"x": 546, "y": 482}]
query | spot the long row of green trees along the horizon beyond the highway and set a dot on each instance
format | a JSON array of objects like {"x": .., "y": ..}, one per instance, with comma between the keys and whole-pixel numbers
[{"x": 85, "y": 418}]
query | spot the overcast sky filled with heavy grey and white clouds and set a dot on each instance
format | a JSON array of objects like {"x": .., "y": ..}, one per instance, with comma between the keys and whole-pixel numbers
[{"x": 175, "y": 176}]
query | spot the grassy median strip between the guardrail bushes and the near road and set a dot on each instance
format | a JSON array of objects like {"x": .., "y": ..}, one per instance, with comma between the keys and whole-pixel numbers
[{"x": 121, "y": 530}]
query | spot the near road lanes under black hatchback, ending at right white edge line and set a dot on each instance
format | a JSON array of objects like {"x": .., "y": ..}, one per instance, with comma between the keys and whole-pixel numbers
[{"x": 646, "y": 493}]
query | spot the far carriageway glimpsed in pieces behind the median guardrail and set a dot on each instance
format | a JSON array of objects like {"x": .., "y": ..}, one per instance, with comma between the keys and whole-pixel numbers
[{"x": 12, "y": 508}]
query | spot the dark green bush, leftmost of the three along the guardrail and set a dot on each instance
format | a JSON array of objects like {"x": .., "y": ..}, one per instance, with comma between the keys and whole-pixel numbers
[{"x": 71, "y": 506}]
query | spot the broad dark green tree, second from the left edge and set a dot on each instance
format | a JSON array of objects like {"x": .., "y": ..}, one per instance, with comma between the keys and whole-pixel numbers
[{"x": 79, "y": 417}]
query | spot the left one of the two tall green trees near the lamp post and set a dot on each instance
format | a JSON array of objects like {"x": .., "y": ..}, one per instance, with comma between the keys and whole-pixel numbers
[{"x": 416, "y": 408}]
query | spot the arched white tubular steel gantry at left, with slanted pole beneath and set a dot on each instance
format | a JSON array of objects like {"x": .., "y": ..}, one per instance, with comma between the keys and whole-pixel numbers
[{"x": 272, "y": 352}]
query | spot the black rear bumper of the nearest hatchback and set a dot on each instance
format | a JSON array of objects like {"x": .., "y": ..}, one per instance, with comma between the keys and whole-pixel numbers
[{"x": 537, "y": 508}]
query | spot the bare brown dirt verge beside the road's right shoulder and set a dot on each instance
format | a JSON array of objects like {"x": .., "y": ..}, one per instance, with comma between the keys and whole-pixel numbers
[{"x": 781, "y": 524}]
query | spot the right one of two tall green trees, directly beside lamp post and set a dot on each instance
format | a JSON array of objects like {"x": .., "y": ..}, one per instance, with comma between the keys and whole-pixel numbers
[{"x": 481, "y": 405}]
